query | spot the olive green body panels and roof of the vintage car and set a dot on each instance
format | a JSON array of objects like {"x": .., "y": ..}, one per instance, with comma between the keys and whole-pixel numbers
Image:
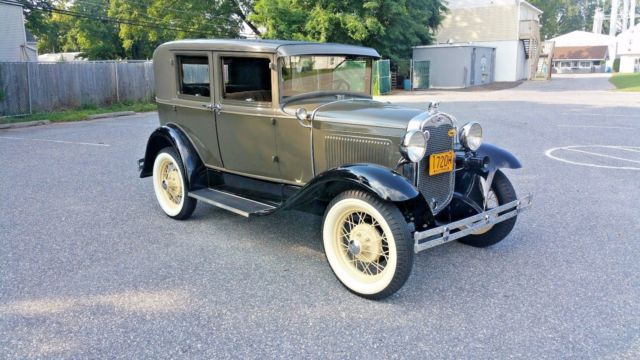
[{"x": 266, "y": 140}]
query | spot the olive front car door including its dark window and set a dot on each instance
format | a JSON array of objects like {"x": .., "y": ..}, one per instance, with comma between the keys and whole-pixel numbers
[{"x": 245, "y": 114}]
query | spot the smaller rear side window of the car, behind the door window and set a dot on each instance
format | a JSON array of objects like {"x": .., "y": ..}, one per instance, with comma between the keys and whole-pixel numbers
[{"x": 194, "y": 76}]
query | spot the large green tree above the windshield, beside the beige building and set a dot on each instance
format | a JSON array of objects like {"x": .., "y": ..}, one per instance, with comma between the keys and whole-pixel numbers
[{"x": 392, "y": 27}]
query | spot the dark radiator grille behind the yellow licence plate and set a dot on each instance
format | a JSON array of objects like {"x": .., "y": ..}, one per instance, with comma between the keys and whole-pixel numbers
[{"x": 438, "y": 189}]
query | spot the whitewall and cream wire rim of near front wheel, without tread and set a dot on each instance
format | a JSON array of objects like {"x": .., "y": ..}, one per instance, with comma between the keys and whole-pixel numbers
[{"x": 360, "y": 246}]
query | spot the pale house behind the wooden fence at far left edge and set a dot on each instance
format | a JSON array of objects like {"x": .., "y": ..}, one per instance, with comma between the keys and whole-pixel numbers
[{"x": 16, "y": 44}]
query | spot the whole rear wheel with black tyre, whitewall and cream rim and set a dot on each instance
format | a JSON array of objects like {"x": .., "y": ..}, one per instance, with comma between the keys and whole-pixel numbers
[{"x": 170, "y": 185}]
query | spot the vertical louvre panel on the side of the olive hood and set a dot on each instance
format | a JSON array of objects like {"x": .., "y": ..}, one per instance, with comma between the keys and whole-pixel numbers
[{"x": 342, "y": 150}]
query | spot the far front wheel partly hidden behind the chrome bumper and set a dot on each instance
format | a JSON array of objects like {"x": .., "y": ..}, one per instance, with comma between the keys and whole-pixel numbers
[{"x": 501, "y": 192}]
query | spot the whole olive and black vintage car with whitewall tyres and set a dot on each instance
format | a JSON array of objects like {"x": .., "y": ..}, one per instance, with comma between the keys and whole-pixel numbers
[{"x": 256, "y": 127}]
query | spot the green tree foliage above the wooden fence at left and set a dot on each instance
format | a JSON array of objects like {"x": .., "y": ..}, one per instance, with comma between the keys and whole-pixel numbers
[{"x": 122, "y": 29}]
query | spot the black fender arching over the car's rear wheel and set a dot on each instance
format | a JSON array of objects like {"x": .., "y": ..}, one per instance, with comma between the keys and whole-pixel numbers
[{"x": 171, "y": 135}]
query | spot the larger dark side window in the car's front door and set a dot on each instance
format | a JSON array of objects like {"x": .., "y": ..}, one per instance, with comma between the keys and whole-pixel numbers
[{"x": 246, "y": 79}]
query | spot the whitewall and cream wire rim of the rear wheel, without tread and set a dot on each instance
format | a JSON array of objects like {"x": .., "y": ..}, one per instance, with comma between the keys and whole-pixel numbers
[{"x": 168, "y": 184}]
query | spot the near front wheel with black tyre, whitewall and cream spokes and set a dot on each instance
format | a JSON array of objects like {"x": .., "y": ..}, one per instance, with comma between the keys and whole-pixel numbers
[{"x": 367, "y": 244}]
